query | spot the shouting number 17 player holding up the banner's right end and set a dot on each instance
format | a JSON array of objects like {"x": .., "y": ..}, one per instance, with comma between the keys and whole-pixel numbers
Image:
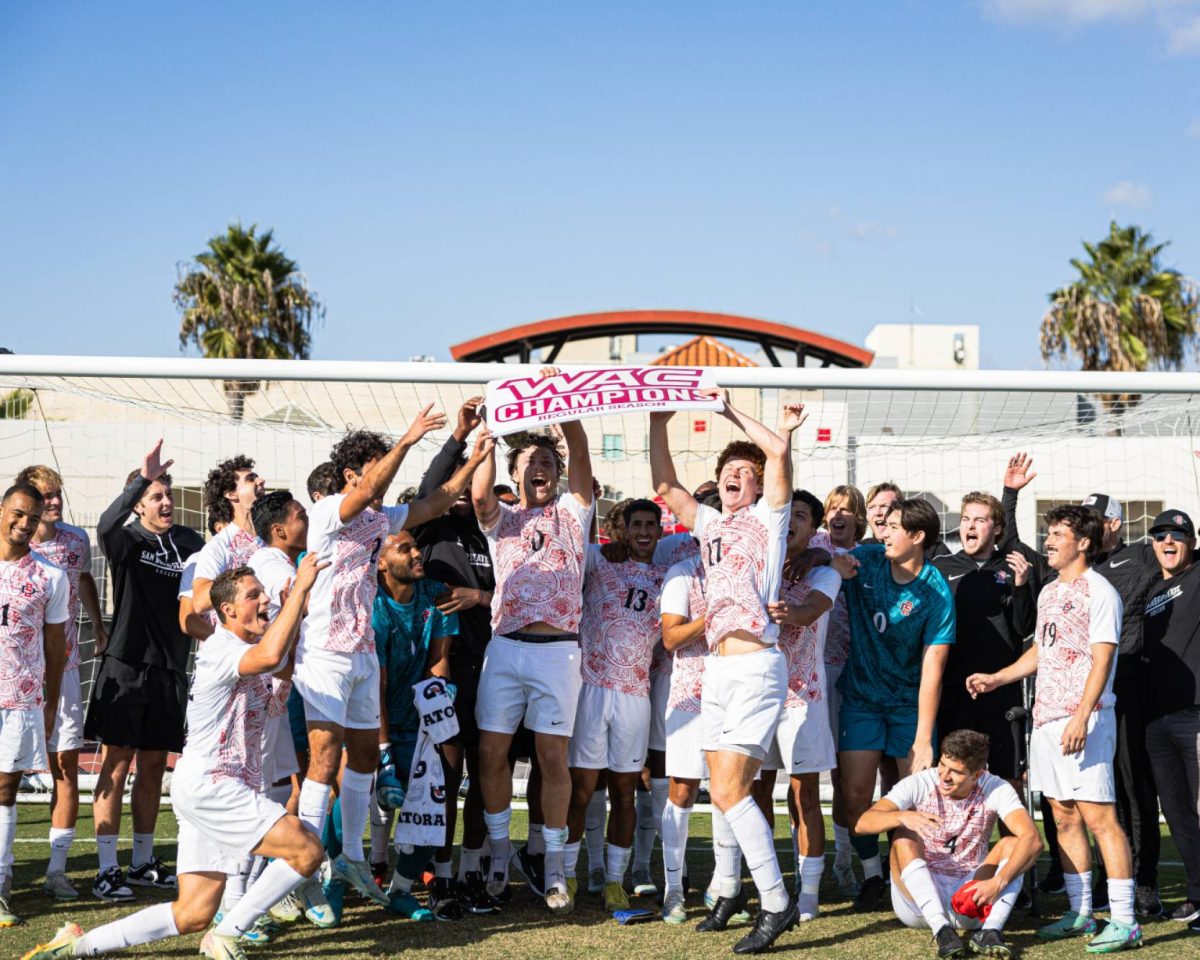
[{"x": 746, "y": 677}]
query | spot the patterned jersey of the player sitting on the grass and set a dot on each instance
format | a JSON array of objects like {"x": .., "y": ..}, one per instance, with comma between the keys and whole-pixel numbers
[{"x": 958, "y": 845}]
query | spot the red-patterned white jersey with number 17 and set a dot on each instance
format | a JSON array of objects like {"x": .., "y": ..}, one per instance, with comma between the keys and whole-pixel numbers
[{"x": 743, "y": 557}]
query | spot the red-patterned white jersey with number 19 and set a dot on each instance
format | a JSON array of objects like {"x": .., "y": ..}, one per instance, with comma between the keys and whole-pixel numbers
[{"x": 1073, "y": 616}]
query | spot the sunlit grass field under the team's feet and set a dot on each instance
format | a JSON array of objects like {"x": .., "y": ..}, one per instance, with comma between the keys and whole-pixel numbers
[{"x": 526, "y": 929}]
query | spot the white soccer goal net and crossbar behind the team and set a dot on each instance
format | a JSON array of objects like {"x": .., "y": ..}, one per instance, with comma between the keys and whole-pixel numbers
[{"x": 935, "y": 435}]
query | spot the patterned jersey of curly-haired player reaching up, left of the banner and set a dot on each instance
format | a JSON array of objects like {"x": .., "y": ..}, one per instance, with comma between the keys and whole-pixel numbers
[{"x": 341, "y": 599}]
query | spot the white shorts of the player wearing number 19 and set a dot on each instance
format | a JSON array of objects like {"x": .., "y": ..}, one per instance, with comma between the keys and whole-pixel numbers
[{"x": 1077, "y": 777}]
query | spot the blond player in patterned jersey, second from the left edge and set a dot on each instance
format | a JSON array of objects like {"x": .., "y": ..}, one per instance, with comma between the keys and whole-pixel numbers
[{"x": 70, "y": 549}]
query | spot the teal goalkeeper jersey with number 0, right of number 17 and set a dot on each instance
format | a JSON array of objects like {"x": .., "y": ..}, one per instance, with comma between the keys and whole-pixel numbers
[{"x": 891, "y": 625}]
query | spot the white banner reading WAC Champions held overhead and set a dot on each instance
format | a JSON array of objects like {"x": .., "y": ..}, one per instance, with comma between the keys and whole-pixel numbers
[{"x": 530, "y": 403}]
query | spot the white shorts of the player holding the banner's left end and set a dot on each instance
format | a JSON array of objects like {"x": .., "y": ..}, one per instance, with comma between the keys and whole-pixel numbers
[{"x": 538, "y": 682}]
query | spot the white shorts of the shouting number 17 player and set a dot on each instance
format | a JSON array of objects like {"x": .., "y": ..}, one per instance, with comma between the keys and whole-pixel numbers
[{"x": 742, "y": 701}]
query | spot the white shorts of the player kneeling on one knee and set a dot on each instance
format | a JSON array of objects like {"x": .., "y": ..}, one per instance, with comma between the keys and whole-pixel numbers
[{"x": 220, "y": 824}]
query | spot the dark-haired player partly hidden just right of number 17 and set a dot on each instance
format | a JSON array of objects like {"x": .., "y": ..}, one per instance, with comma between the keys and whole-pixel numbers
[{"x": 805, "y": 739}]
